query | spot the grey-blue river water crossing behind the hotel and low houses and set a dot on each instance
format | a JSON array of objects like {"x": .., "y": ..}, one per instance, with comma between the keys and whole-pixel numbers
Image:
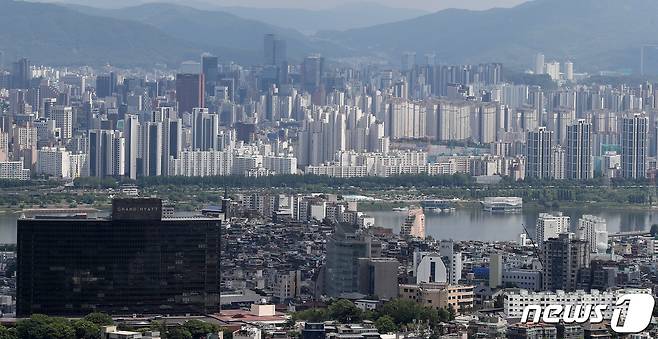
[{"x": 470, "y": 223}]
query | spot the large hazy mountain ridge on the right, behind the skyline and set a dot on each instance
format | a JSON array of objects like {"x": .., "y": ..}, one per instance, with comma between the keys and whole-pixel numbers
[{"x": 595, "y": 34}]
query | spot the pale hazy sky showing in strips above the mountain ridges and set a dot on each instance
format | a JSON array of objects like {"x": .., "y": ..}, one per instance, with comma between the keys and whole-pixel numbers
[{"x": 429, "y": 5}]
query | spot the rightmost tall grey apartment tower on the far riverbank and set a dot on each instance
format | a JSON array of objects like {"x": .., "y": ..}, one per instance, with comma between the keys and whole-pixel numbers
[{"x": 634, "y": 146}]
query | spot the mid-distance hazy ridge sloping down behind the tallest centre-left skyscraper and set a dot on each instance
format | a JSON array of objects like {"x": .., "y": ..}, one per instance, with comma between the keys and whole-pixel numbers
[{"x": 211, "y": 28}]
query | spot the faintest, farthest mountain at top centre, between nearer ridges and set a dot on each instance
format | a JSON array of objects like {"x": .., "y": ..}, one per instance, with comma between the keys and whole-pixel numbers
[{"x": 346, "y": 16}]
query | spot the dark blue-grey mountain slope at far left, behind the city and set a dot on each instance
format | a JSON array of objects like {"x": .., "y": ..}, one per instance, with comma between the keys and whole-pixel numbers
[{"x": 53, "y": 34}]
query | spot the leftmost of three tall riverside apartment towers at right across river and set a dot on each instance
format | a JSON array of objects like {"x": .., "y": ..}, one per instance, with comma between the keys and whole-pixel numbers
[{"x": 539, "y": 145}]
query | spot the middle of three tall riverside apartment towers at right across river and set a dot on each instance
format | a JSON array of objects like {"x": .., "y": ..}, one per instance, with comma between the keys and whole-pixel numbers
[{"x": 579, "y": 160}]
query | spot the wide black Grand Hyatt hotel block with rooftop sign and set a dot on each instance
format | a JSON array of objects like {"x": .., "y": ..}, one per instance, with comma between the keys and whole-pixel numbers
[{"x": 136, "y": 262}]
